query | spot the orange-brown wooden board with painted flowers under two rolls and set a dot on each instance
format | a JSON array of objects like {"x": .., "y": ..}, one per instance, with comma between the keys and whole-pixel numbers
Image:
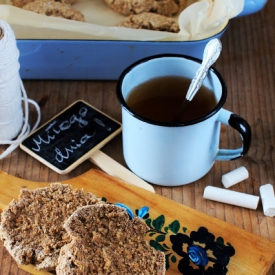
[{"x": 170, "y": 223}]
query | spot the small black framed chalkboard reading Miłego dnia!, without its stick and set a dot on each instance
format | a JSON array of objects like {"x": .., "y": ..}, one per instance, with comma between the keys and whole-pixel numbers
[{"x": 71, "y": 137}]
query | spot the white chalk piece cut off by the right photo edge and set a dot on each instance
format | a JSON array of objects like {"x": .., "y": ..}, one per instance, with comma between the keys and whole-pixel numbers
[{"x": 268, "y": 199}]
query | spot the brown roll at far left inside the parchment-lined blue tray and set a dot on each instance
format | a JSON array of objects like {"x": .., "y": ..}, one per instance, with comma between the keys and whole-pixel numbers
[{"x": 56, "y": 9}]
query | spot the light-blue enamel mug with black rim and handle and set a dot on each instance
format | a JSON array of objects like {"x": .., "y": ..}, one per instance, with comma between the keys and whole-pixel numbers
[{"x": 172, "y": 154}]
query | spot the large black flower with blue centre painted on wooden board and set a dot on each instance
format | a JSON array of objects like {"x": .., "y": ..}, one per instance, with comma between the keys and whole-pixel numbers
[{"x": 201, "y": 253}]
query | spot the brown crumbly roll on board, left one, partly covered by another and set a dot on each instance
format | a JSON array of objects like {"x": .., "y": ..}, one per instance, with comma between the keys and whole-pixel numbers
[{"x": 32, "y": 227}]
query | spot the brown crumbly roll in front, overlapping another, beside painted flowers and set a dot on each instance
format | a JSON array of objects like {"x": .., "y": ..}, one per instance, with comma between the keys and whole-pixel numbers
[{"x": 105, "y": 241}]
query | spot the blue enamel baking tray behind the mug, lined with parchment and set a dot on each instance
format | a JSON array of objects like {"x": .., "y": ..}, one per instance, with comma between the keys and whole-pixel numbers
[{"x": 101, "y": 59}]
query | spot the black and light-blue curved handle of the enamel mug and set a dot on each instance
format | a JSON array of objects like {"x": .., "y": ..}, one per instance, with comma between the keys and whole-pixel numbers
[{"x": 239, "y": 124}]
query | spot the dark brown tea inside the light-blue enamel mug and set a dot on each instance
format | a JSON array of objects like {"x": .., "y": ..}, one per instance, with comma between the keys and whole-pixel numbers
[{"x": 160, "y": 99}]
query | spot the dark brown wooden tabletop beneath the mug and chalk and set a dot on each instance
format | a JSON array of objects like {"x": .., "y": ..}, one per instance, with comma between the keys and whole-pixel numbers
[{"x": 247, "y": 64}]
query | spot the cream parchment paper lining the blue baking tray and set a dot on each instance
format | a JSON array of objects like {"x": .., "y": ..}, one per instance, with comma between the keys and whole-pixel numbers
[{"x": 199, "y": 20}]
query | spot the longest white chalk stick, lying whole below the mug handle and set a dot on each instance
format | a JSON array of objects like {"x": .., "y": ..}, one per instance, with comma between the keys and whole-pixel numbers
[{"x": 231, "y": 197}]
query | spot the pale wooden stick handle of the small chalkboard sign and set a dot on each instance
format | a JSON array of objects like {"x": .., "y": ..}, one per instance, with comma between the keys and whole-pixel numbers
[{"x": 113, "y": 168}]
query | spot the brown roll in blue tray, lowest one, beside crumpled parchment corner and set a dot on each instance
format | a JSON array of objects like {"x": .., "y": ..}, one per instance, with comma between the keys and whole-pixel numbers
[{"x": 150, "y": 21}]
